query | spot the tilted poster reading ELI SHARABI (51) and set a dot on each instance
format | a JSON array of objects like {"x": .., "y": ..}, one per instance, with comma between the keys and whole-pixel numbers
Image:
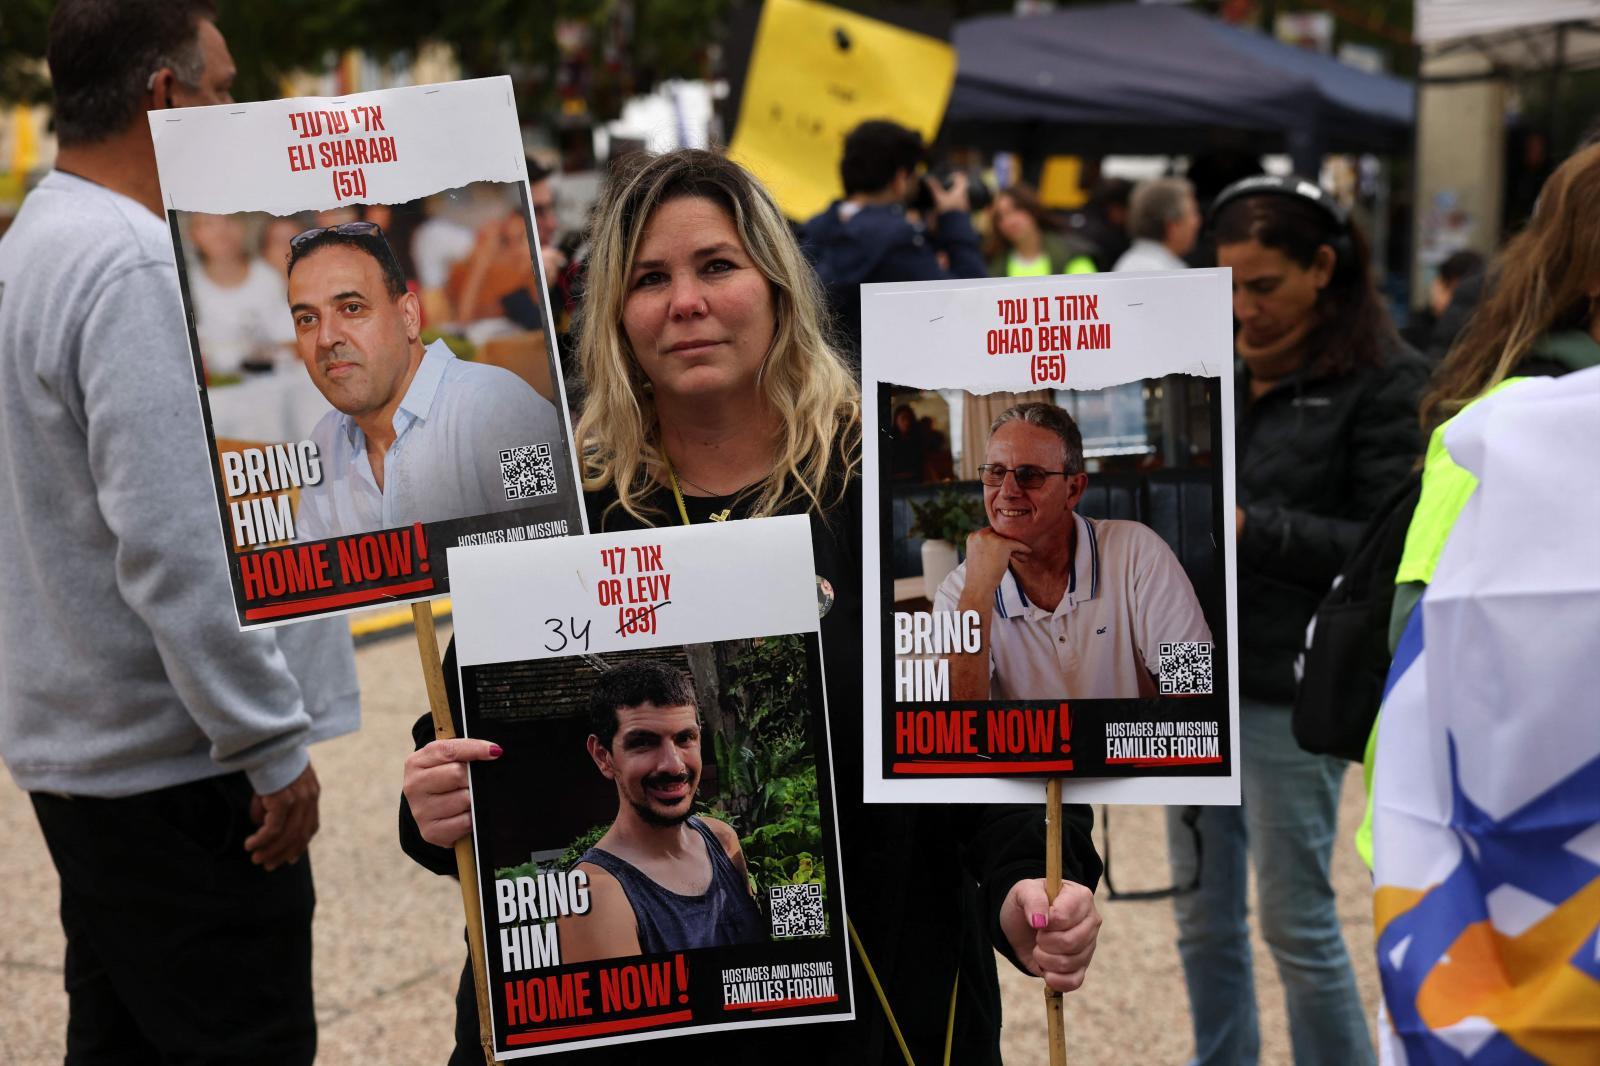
[{"x": 370, "y": 326}]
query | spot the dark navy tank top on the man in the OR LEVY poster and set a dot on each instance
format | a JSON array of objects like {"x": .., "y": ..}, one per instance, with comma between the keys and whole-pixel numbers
[{"x": 724, "y": 915}]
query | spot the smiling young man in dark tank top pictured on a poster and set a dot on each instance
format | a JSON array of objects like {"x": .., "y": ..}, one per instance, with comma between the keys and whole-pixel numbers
[{"x": 662, "y": 878}]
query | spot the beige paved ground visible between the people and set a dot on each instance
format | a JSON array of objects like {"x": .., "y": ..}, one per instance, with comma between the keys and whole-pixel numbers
[{"x": 390, "y": 936}]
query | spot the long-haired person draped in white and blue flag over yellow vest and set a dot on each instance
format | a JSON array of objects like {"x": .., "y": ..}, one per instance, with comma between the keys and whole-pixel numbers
[{"x": 1476, "y": 836}]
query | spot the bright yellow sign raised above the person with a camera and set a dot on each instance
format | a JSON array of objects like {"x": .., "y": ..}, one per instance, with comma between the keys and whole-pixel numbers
[{"x": 817, "y": 73}]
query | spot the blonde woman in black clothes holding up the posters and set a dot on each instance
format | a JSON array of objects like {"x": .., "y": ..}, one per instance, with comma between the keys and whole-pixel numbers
[{"x": 713, "y": 396}]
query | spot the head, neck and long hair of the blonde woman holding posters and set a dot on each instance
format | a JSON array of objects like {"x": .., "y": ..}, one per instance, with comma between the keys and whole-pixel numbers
[{"x": 705, "y": 366}]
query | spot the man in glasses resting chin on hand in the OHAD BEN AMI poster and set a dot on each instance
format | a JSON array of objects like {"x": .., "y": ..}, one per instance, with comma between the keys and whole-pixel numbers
[{"x": 1068, "y": 606}]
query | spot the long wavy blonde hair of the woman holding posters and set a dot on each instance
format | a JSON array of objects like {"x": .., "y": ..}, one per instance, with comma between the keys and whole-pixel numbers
[{"x": 804, "y": 379}]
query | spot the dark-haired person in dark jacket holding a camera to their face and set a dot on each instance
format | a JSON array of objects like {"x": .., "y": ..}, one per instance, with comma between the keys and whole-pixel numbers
[{"x": 870, "y": 238}]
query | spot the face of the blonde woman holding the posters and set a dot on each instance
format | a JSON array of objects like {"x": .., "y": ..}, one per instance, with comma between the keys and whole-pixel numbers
[{"x": 698, "y": 311}]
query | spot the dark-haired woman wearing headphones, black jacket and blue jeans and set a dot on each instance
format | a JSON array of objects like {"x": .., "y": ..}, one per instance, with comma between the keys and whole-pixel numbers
[{"x": 1326, "y": 430}]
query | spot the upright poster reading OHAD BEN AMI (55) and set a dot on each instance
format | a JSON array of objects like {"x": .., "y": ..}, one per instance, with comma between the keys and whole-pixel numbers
[{"x": 1050, "y": 505}]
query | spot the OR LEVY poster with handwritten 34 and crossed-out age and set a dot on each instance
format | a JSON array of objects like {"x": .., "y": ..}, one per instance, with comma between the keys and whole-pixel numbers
[{"x": 657, "y": 843}]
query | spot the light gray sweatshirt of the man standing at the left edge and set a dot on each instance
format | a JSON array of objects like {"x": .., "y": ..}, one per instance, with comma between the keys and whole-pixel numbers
[{"x": 122, "y": 668}]
